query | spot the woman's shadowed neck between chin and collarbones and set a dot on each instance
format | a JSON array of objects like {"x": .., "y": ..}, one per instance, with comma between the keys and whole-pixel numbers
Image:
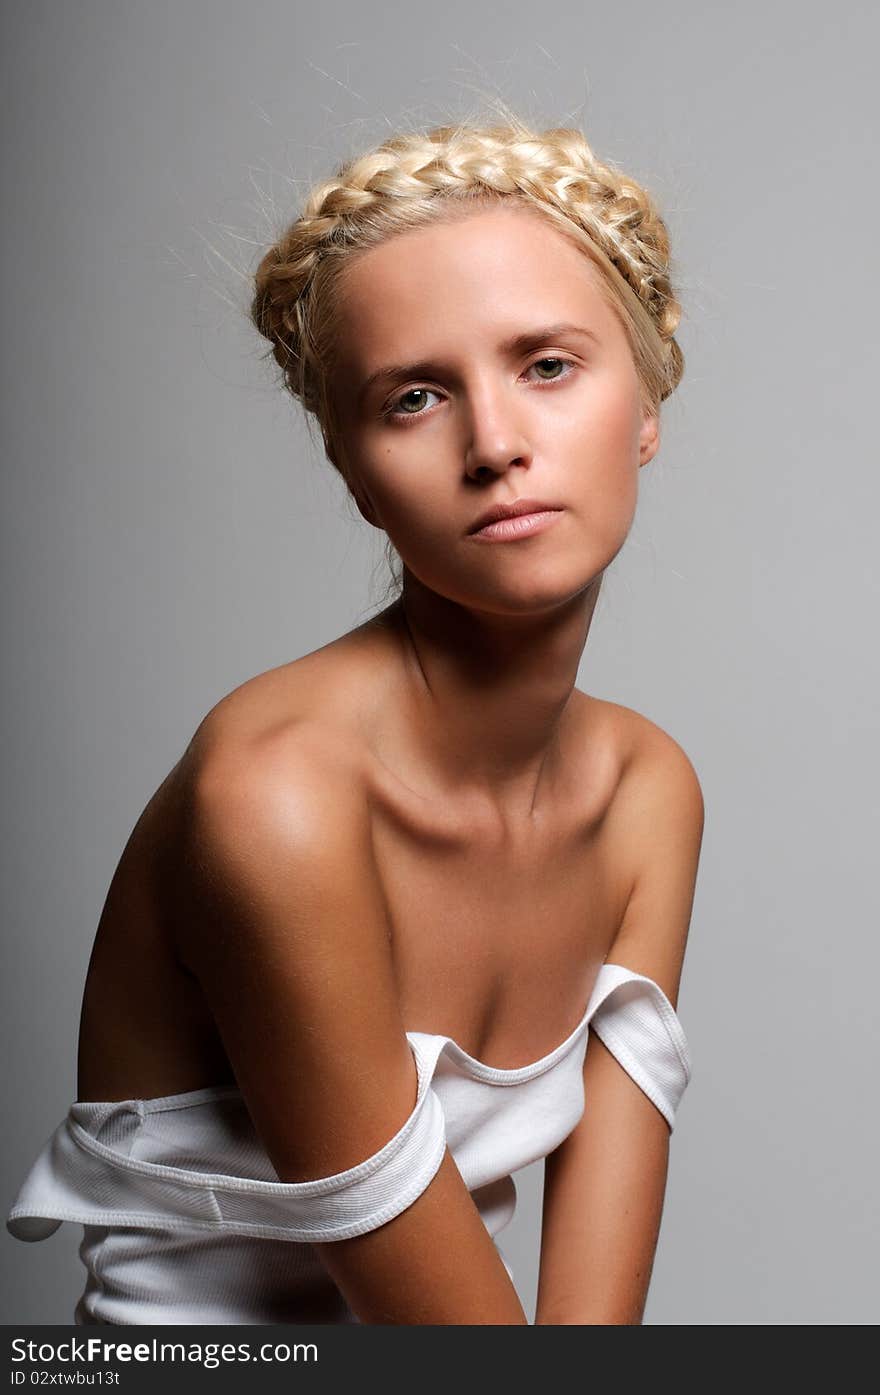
[{"x": 487, "y": 695}]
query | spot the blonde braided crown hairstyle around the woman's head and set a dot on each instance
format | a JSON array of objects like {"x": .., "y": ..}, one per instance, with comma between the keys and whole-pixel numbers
[{"x": 414, "y": 179}]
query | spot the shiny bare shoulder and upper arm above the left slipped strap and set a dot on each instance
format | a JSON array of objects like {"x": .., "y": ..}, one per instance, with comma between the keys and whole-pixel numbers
[{"x": 285, "y": 930}]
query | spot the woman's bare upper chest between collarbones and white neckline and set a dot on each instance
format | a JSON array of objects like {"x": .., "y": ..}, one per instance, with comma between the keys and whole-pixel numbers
[{"x": 497, "y": 937}]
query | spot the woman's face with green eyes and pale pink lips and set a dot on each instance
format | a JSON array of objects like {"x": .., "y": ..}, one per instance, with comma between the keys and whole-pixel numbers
[{"x": 479, "y": 365}]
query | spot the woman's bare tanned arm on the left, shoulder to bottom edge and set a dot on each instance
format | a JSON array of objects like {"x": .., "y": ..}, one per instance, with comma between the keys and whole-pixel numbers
[{"x": 291, "y": 944}]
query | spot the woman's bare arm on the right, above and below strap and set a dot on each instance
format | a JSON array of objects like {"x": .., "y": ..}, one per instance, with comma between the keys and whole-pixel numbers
[{"x": 606, "y": 1184}]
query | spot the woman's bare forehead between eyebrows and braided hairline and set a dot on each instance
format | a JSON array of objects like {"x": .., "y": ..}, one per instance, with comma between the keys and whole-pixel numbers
[{"x": 486, "y": 274}]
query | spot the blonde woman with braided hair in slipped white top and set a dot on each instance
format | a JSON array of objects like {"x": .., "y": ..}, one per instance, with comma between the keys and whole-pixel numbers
[{"x": 348, "y": 967}]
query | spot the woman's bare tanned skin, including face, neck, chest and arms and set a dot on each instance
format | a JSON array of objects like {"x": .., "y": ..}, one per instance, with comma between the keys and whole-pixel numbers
[{"x": 437, "y": 762}]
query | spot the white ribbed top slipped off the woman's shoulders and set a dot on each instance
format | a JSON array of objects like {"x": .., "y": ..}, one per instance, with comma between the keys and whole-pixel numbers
[{"x": 185, "y": 1219}]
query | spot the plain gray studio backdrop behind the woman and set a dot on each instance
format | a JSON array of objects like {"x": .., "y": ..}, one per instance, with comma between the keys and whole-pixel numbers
[{"x": 169, "y": 529}]
